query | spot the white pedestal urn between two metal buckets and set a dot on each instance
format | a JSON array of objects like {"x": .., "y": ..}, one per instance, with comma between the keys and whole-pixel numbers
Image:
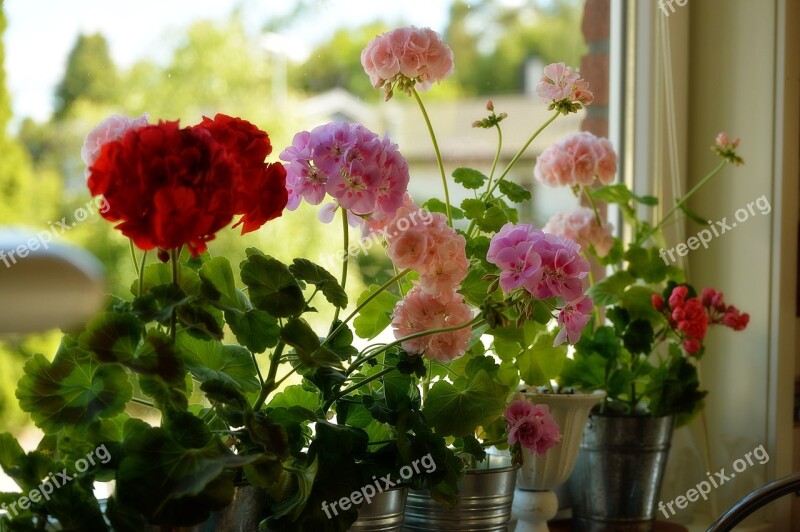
[{"x": 534, "y": 501}]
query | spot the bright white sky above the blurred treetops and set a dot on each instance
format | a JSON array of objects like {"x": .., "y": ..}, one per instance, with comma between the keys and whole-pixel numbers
[{"x": 40, "y": 33}]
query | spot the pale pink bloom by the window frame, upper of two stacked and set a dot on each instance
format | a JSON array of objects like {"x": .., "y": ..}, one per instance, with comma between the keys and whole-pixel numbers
[{"x": 577, "y": 160}]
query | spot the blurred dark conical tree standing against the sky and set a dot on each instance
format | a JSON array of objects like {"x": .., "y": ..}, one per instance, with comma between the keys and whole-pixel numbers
[{"x": 90, "y": 74}]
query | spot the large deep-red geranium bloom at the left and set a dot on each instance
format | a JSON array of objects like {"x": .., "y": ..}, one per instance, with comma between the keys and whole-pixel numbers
[{"x": 170, "y": 186}]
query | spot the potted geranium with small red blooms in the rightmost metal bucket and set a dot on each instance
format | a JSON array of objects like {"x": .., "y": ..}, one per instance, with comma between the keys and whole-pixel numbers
[{"x": 644, "y": 341}]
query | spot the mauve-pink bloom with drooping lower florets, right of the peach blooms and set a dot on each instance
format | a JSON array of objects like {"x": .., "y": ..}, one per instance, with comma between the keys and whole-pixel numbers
[{"x": 547, "y": 266}]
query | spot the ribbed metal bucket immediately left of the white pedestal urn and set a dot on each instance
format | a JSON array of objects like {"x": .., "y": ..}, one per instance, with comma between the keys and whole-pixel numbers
[{"x": 484, "y": 504}]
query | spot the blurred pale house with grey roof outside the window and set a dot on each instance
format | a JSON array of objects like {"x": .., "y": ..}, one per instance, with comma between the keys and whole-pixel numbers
[{"x": 459, "y": 142}]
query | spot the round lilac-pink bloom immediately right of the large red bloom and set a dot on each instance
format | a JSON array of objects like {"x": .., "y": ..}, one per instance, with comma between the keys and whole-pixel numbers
[{"x": 363, "y": 173}]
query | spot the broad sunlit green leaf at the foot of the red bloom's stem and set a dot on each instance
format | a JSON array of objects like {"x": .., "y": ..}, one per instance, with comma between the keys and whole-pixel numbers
[{"x": 213, "y": 360}]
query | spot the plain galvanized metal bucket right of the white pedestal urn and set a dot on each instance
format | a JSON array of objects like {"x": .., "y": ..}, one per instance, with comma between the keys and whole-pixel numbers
[{"x": 617, "y": 479}]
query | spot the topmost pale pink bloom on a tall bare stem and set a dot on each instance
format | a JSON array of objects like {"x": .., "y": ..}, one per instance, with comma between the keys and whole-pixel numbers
[{"x": 408, "y": 57}]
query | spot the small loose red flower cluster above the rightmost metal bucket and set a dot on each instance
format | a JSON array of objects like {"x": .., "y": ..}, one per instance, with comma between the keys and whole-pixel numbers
[{"x": 690, "y": 318}]
